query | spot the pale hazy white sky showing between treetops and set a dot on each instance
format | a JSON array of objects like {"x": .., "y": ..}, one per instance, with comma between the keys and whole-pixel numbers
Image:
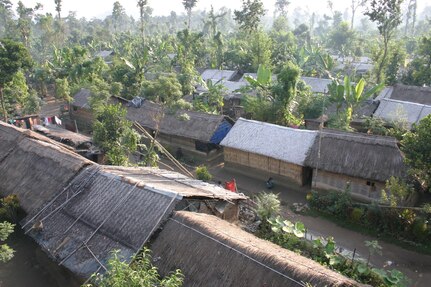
[{"x": 101, "y": 8}]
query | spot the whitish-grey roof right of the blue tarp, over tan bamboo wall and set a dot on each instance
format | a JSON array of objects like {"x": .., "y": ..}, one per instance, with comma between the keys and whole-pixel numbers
[{"x": 283, "y": 143}]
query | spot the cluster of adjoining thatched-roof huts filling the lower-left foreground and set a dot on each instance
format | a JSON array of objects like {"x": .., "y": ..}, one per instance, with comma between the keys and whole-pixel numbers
[{"x": 79, "y": 212}]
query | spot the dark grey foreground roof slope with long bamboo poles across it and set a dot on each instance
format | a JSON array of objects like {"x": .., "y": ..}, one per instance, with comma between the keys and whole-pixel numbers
[{"x": 96, "y": 214}]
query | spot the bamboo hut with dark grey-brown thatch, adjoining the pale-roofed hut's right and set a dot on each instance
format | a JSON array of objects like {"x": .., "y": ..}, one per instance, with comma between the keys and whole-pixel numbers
[{"x": 358, "y": 161}]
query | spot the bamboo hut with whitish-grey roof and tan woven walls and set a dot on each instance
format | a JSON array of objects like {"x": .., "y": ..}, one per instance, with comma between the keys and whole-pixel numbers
[{"x": 270, "y": 149}]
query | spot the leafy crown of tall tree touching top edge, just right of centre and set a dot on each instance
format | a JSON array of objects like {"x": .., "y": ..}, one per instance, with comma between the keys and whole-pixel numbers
[{"x": 249, "y": 16}]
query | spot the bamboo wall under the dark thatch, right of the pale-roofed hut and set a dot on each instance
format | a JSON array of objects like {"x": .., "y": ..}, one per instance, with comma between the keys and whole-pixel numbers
[{"x": 359, "y": 187}]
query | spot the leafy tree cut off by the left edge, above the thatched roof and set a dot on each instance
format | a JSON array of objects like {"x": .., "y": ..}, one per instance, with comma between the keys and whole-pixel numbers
[{"x": 13, "y": 57}]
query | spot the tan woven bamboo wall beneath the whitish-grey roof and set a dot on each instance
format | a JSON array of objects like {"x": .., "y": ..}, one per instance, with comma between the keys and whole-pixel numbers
[{"x": 274, "y": 166}]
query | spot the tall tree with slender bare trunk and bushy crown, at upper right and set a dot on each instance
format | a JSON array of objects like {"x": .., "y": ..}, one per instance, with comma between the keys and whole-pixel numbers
[{"x": 387, "y": 15}]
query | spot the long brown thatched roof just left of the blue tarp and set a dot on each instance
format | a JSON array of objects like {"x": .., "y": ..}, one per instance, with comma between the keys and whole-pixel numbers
[{"x": 199, "y": 126}]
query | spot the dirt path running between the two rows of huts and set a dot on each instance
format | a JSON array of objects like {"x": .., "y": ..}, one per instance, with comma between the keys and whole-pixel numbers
[{"x": 415, "y": 265}]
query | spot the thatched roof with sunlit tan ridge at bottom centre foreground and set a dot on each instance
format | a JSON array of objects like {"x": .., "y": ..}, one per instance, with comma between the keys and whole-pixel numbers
[{"x": 213, "y": 252}]
